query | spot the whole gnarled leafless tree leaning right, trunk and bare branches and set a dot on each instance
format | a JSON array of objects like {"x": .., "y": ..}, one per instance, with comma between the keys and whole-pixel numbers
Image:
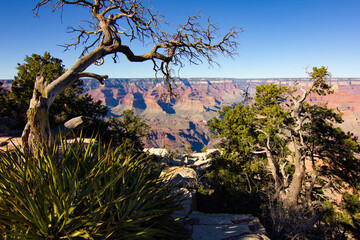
[{"x": 111, "y": 22}]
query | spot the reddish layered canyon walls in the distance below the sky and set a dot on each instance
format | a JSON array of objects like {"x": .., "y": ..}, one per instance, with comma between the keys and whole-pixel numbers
[{"x": 179, "y": 122}]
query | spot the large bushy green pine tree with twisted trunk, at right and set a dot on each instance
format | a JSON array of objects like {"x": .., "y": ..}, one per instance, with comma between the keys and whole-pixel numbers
[{"x": 265, "y": 130}]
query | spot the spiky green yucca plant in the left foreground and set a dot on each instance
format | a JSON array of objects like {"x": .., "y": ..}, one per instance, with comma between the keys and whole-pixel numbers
[{"x": 83, "y": 191}]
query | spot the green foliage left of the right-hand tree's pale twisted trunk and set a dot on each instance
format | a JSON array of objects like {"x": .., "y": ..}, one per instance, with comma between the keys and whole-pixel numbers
[{"x": 238, "y": 171}]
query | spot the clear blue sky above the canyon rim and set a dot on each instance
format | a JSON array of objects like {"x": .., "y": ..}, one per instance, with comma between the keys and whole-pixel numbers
[{"x": 281, "y": 39}]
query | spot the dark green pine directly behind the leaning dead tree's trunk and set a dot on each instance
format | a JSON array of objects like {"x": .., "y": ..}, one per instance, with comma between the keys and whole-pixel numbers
[{"x": 69, "y": 104}]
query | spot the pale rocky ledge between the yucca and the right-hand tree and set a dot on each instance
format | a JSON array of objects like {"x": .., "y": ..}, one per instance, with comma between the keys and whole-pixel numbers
[{"x": 206, "y": 226}]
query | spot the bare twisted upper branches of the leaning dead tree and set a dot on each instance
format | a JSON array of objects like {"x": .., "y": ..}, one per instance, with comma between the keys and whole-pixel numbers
[{"x": 114, "y": 20}]
